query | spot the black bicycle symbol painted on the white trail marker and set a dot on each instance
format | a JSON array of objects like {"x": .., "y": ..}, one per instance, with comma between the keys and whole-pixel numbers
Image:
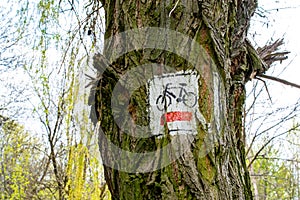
[{"x": 165, "y": 99}]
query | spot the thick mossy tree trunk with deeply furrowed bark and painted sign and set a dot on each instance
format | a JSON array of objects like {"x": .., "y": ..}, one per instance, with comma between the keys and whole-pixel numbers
[{"x": 198, "y": 47}]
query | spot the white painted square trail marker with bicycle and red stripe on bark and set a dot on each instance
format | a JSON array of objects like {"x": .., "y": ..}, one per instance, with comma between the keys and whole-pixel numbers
[{"x": 173, "y": 102}]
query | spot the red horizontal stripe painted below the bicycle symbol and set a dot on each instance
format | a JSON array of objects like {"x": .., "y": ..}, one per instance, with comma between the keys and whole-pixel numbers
[{"x": 175, "y": 116}]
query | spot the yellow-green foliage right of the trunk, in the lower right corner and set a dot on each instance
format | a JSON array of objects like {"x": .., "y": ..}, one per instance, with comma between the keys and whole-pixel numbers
[{"x": 273, "y": 177}]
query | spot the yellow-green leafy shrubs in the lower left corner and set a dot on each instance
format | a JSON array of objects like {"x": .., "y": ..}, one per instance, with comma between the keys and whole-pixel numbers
[{"x": 22, "y": 163}]
